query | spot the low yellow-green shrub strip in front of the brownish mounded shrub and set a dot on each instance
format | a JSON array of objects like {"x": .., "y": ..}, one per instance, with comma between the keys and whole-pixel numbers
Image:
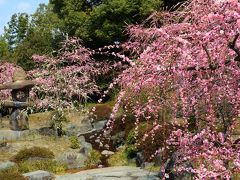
[{"x": 47, "y": 165}]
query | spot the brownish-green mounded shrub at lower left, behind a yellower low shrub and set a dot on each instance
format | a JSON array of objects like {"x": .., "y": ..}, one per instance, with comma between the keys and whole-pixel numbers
[{"x": 25, "y": 154}]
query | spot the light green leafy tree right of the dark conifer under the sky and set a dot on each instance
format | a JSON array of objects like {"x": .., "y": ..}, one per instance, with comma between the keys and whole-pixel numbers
[{"x": 43, "y": 36}]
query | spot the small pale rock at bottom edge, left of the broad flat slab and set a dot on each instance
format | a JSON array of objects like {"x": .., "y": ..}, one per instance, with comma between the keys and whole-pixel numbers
[{"x": 39, "y": 175}]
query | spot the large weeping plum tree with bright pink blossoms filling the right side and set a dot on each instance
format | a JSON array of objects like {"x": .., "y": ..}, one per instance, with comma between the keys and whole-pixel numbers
[{"x": 191, "y": 65}]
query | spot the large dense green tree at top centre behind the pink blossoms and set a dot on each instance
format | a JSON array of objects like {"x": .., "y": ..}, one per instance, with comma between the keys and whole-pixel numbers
[{"x": 102, "y": 22}]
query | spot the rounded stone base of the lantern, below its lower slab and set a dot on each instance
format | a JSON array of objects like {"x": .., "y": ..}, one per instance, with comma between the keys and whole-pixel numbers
[{"x": 19, "y": 121}]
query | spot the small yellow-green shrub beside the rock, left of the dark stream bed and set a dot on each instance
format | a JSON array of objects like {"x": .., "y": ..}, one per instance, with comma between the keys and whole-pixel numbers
[{"x": 94, "y": 159}]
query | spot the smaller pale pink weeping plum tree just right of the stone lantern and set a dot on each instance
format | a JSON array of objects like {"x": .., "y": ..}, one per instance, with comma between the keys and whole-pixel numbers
[{"x": 67, "y": 78}]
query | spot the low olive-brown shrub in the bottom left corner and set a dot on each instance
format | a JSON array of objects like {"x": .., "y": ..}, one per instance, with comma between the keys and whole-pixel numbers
[{"x": 11, "y": 174}]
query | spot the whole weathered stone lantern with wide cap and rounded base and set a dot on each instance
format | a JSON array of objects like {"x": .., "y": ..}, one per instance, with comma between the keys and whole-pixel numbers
[{"x": 20, "y": 88}]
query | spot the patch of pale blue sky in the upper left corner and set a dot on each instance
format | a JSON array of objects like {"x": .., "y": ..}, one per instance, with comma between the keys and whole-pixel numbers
[{"x": 9, "y": 7}]
